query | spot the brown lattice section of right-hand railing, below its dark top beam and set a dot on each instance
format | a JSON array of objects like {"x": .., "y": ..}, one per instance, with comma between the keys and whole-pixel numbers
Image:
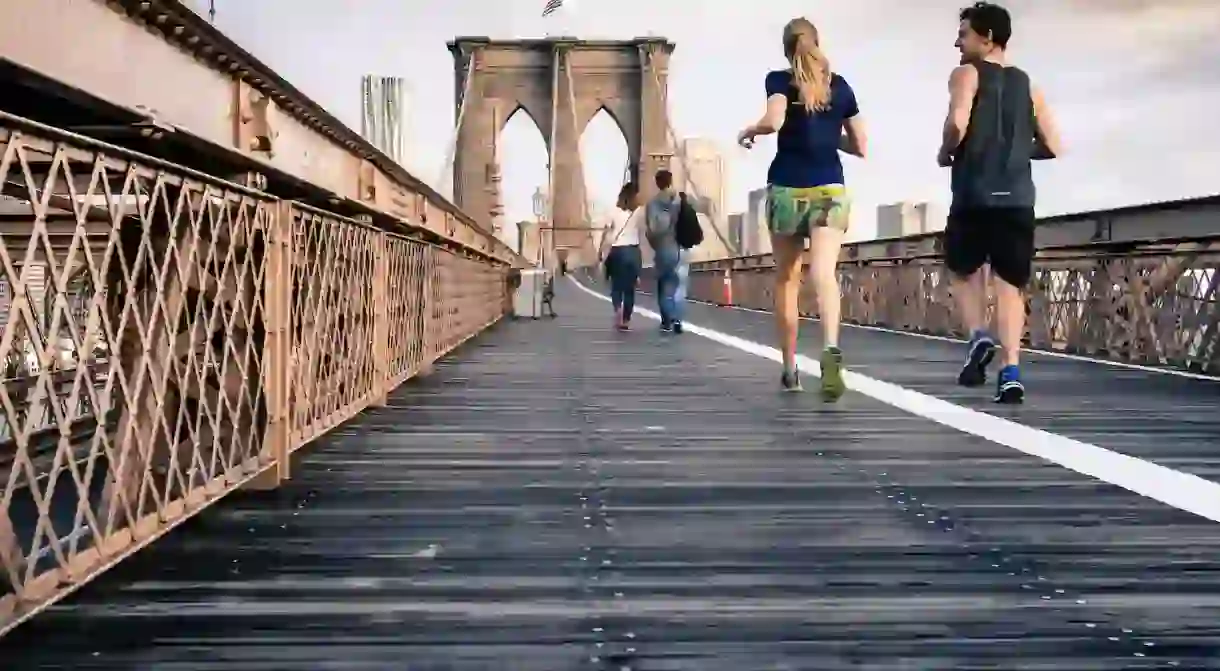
[{"x": 1155, "y": 303}]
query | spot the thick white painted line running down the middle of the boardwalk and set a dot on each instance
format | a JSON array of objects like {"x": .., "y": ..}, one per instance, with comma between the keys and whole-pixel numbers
[{"x": 1171, "y": 487}]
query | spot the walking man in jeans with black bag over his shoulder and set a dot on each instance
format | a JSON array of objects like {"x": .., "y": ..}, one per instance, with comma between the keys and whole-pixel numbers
[{"x": 672, "y": 228}]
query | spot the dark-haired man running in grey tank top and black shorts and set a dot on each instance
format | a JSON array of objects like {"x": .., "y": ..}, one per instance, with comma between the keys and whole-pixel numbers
[{"x": 997, "y": 124}]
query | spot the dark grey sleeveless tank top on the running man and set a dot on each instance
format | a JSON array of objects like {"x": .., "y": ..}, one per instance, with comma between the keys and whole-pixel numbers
[{"x": 991, "y": 168}]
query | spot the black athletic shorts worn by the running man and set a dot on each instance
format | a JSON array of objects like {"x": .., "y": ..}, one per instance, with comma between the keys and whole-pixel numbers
[{"x": 1002, "y": 237}]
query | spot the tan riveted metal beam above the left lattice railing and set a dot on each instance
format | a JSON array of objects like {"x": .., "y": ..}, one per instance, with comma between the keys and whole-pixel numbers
[{"x": 167, "y": 65}]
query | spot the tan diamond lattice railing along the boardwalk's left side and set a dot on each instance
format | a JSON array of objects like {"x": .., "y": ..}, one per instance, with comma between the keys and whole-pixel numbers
[{"x": 169, "y": 337}]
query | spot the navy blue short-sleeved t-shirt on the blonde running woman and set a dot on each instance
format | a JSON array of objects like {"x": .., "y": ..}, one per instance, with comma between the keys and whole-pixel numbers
[{"x": 807, "y": 148}]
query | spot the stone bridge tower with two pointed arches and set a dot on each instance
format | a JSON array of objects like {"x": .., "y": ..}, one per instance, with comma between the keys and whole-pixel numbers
[{"x": 562, "y": 84}]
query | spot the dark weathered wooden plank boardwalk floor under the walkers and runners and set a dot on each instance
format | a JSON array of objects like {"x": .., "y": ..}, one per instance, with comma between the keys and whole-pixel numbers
[{"x": 561, "y": 497}]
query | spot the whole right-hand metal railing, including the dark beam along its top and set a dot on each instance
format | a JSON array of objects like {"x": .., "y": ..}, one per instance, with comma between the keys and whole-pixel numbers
[{"x": 1108, "y": 285}]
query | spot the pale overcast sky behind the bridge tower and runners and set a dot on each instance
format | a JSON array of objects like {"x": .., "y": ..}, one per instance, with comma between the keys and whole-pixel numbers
[{"x": 1134, "y": 84}]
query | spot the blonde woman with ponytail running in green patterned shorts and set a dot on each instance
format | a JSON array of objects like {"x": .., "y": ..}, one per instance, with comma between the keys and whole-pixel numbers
[{"x": 814, "y": 113}]
